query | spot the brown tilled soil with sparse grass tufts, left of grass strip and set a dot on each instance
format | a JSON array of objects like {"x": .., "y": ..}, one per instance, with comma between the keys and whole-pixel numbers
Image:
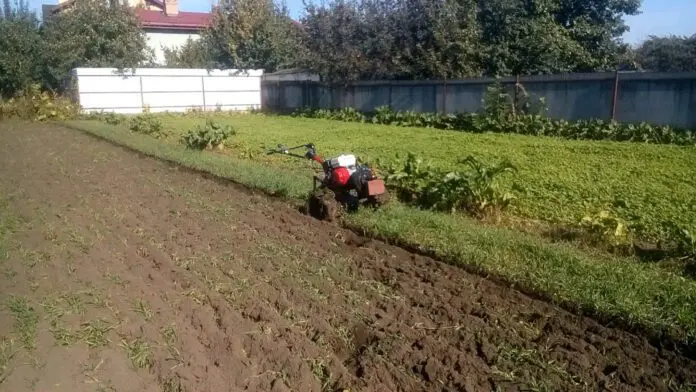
[{"x": 124, "y": 273}]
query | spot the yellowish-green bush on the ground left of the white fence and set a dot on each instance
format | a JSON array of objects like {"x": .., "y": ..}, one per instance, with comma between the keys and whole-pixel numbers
[{"x": 36, "y": 105}]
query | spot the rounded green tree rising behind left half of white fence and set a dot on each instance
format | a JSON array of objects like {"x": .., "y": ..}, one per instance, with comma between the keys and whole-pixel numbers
[{"x": 93, "y": 33}]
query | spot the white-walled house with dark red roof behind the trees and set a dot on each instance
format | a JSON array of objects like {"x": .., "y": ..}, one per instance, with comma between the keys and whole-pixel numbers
[{"x": 164, "y": 24}]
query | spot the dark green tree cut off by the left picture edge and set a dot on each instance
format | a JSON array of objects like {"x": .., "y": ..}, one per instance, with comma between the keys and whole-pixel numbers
[{"x": 20, "y": 48}]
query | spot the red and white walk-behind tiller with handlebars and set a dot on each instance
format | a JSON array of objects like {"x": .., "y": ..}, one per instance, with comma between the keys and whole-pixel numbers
[{"x": 343, "y": 183}]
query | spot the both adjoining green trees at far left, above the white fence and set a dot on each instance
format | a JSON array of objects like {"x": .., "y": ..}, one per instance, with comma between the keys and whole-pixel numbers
[{"x": 89, "y": 33}]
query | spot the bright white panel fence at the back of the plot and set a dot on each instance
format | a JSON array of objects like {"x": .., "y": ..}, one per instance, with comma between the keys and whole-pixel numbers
[{"x": 165, "y": 89}]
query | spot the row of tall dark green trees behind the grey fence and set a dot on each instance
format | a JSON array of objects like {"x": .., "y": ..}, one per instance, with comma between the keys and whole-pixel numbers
[{"x": 425, "y": 39}]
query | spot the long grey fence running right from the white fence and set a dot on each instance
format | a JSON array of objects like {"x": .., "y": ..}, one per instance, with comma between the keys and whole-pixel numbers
[{"x": 658, "y": 98}]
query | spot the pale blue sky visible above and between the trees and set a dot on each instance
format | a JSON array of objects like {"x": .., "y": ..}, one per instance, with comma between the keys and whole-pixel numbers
[{"x": 658, "y": 17}]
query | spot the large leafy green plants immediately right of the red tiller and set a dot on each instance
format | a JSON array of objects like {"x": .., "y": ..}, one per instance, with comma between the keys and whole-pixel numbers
[{"x": 474, "y": 191}]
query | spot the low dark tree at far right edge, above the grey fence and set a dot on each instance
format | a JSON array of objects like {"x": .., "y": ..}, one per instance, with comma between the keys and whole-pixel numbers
[{"x": 668, "y": 54}]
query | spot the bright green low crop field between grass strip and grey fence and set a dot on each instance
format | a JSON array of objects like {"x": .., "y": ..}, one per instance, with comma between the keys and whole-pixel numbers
[{"x": 563, "y": 180}]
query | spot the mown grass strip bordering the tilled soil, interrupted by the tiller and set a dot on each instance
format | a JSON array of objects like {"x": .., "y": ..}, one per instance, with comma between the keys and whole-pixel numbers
[{"x": 639, "y": 296}]
